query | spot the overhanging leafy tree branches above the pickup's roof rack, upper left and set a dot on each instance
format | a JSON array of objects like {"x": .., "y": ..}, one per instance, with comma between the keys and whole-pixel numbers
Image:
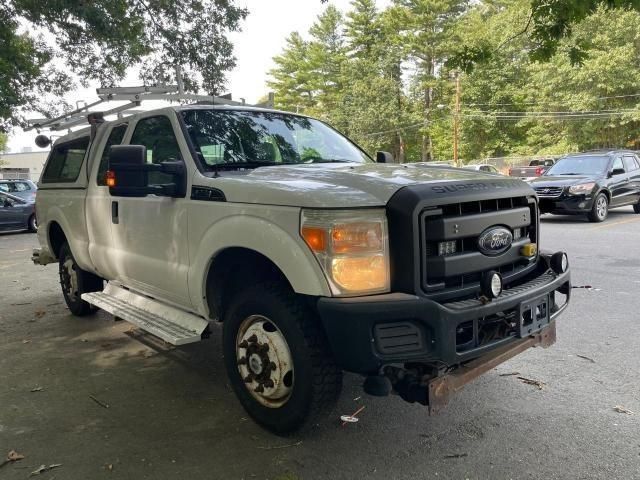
[{"x": 99, "y": 40}]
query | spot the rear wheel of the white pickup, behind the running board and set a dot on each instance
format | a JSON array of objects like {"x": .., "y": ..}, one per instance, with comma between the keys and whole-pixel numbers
[{"x": 75, "y": 281}]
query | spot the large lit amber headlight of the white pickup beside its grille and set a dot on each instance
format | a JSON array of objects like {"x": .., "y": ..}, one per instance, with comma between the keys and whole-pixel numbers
[{"x": 352, "y": 247}]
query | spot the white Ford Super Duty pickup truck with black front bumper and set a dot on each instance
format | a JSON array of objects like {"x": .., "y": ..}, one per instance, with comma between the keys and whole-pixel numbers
[{"x": 312, "y": 257}]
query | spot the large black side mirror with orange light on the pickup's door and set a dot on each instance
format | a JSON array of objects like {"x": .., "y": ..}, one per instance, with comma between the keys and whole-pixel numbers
[{"x": 128, "y": 174}]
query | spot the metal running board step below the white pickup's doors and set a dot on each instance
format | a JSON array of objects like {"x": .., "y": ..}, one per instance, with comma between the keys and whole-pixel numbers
[{"x": 171, "y": 324}]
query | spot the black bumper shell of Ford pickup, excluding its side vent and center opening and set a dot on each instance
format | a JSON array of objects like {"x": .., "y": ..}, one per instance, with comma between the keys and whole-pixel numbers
[{"x": 349, "y": 322}]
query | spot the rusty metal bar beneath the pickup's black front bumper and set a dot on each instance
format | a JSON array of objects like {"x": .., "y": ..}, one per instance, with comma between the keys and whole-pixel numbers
[{"x": 441, "y": 389}]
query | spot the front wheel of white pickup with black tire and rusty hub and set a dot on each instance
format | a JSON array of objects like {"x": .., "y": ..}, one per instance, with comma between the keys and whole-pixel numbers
[{"x": 278, "y": 360}]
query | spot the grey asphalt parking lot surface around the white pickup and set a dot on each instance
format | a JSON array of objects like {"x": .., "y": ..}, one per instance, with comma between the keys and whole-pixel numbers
[{"x": 171, "y": 413}]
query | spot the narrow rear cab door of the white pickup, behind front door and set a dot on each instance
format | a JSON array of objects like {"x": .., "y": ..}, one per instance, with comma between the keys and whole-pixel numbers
[{"x": 99, "y": 206}]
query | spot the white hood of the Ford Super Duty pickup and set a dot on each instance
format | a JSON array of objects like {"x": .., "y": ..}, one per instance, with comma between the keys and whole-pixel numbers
[{"x": 338, "y": 185}]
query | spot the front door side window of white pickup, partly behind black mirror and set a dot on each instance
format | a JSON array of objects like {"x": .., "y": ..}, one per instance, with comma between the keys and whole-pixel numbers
[{"x": 156, "y": 133}]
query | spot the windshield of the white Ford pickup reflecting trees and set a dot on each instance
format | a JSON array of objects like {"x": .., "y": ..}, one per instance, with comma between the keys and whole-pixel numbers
[{"x": 246, "y": 138}]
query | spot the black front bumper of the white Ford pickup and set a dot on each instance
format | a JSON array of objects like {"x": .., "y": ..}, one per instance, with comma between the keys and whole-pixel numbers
[{"x": 366, "y": 333}]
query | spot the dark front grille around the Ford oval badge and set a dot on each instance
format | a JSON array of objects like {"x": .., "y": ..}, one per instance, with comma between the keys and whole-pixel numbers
[{"x": 457, "y": 274}]
